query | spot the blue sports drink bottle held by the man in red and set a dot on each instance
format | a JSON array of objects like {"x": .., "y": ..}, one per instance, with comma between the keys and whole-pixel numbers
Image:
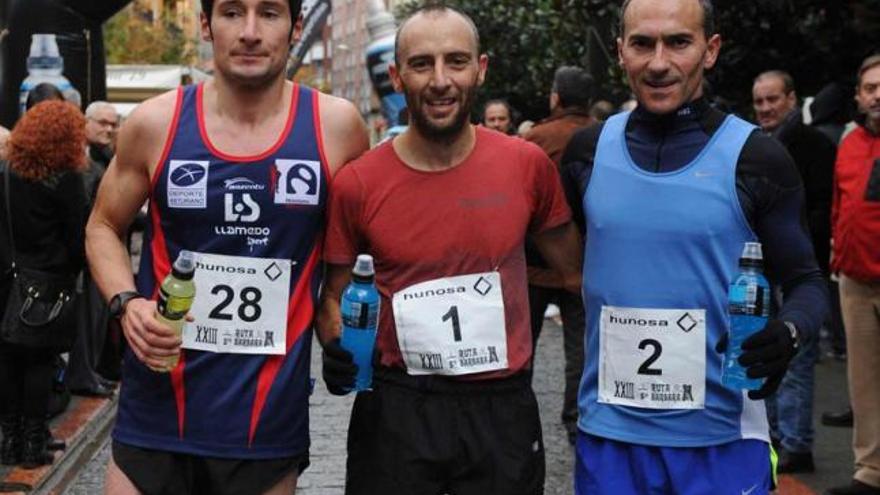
[{"x": 360, "y": 319}]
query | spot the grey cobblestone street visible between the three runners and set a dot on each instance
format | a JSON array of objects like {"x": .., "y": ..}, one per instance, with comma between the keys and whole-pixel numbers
[{"x": 329, "y": 423}]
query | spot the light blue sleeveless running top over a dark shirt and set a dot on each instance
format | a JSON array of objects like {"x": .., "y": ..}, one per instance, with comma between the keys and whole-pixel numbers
[{"x": 669, "y": 241}]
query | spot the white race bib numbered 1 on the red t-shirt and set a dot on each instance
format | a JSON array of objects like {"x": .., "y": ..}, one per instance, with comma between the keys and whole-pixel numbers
[{"x": 452, "y": 325}]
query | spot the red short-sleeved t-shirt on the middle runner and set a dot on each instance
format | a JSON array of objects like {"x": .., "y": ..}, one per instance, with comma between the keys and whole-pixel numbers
[{"x": 472, "y": 218}]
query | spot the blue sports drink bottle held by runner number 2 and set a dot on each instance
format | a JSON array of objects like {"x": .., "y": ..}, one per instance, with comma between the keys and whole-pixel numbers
[{"x": 749, "y": 308}]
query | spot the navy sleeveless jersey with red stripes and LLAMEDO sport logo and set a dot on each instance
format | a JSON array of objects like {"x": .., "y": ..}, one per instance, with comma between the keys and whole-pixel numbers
[{"x": 266, "y": 206}]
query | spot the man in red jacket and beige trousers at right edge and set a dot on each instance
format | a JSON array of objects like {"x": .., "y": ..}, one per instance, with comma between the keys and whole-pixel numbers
[{"x": 856, "y": 223}]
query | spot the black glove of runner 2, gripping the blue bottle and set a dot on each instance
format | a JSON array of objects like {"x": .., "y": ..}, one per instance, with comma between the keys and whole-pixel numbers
[{"x": 766, "y": 354}]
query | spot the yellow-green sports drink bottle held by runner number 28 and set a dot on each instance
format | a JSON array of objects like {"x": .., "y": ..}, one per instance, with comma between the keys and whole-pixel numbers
[{"x": 176, "y": 296}]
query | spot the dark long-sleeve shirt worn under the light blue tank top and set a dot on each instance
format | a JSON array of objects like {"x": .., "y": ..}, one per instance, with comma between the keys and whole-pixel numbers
[{"x": 768, "y": 186}]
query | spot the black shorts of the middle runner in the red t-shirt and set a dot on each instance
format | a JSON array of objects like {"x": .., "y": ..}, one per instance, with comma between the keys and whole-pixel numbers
[{"x": 430, "y": 435}]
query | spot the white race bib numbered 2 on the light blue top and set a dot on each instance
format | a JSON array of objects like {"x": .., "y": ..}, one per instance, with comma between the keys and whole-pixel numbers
[{"x": 652, "y": 358}]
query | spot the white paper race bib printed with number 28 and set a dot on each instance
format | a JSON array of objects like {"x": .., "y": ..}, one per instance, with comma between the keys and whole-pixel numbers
[{"x": 240, "y": 305}]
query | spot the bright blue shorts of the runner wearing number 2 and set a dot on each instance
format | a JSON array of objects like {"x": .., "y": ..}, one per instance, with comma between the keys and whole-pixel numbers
[{"x": 607, "y": 466}]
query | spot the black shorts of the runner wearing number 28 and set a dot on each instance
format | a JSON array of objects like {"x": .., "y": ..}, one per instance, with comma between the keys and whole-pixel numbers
[{"x": 157, "y": 472}]
